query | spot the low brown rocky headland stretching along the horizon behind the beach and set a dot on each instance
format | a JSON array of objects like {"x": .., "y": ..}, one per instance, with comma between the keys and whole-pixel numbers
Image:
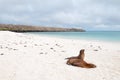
[{"x": 26, "y": 28}]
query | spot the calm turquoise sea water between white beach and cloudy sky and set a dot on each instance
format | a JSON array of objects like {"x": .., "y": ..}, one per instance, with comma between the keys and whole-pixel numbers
[{"x": 112, "y": 36}]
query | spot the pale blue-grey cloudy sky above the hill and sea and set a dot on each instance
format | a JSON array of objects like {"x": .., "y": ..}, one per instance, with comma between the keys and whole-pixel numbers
[{"x": 91, "y": 15}]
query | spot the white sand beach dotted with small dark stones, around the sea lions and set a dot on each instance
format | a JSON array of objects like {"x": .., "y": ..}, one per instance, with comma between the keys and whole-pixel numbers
[{"x": 32, "y": 57}]
